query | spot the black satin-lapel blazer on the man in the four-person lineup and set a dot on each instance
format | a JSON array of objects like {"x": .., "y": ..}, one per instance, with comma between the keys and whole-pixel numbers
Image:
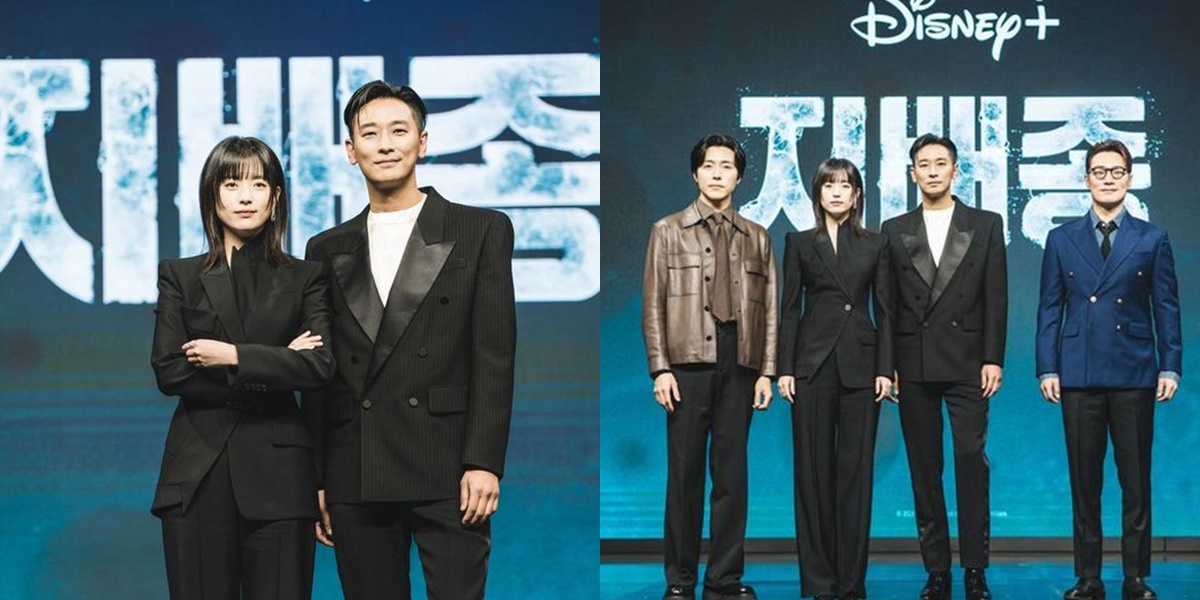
[{"x": 952, "y": 319}]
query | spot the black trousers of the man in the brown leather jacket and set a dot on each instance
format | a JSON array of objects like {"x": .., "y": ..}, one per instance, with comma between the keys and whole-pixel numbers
[{"x": 716, "y": 403}]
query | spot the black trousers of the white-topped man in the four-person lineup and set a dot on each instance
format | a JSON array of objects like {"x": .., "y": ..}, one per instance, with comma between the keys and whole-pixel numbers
[{"x": 921, "y": 419}]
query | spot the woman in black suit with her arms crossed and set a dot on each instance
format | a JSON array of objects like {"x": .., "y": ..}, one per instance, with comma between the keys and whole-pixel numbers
[{"x": 238, "y": 331}]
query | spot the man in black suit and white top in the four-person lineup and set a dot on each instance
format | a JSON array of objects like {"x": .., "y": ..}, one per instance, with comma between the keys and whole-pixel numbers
[{"x": 952, "y": 315}]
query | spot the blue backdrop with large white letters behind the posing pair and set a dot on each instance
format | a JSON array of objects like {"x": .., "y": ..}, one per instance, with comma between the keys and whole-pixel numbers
[{"x": 109, "y": 111}]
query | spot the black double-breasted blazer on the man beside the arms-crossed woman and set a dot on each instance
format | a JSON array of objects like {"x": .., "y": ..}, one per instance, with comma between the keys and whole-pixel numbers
[{"x": 424, "y": 387}]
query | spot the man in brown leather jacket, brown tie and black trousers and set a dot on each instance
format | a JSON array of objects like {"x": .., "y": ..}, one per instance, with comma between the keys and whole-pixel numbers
[{"x": 709, "y": 316}]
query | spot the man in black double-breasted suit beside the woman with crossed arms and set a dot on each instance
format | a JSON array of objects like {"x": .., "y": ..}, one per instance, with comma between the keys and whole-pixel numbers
[{"x": 417, "y": 421}]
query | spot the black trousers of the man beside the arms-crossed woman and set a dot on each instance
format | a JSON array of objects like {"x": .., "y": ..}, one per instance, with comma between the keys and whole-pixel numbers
[{"x": 373, "y": 544}]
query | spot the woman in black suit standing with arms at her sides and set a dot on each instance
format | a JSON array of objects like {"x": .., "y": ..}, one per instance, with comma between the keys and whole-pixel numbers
[{"x": 836, "y": 368}]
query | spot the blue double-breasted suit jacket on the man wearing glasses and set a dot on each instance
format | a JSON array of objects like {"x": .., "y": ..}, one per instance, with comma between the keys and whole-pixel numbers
[{"x": 1101, "y": 321}]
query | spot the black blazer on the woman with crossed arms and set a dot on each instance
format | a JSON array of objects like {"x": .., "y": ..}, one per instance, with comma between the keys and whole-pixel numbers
[{"x": 250, "y": 411}]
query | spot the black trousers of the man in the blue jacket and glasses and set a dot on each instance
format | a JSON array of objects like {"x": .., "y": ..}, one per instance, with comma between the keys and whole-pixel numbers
[{"x": 1090, "y": 417}]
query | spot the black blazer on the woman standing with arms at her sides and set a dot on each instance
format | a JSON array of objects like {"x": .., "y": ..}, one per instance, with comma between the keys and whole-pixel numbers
[{"x": 836, "y": 293}]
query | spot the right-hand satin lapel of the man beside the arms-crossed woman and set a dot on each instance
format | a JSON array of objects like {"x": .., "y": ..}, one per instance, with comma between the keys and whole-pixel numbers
[{"x": 419, "y": 268}]
